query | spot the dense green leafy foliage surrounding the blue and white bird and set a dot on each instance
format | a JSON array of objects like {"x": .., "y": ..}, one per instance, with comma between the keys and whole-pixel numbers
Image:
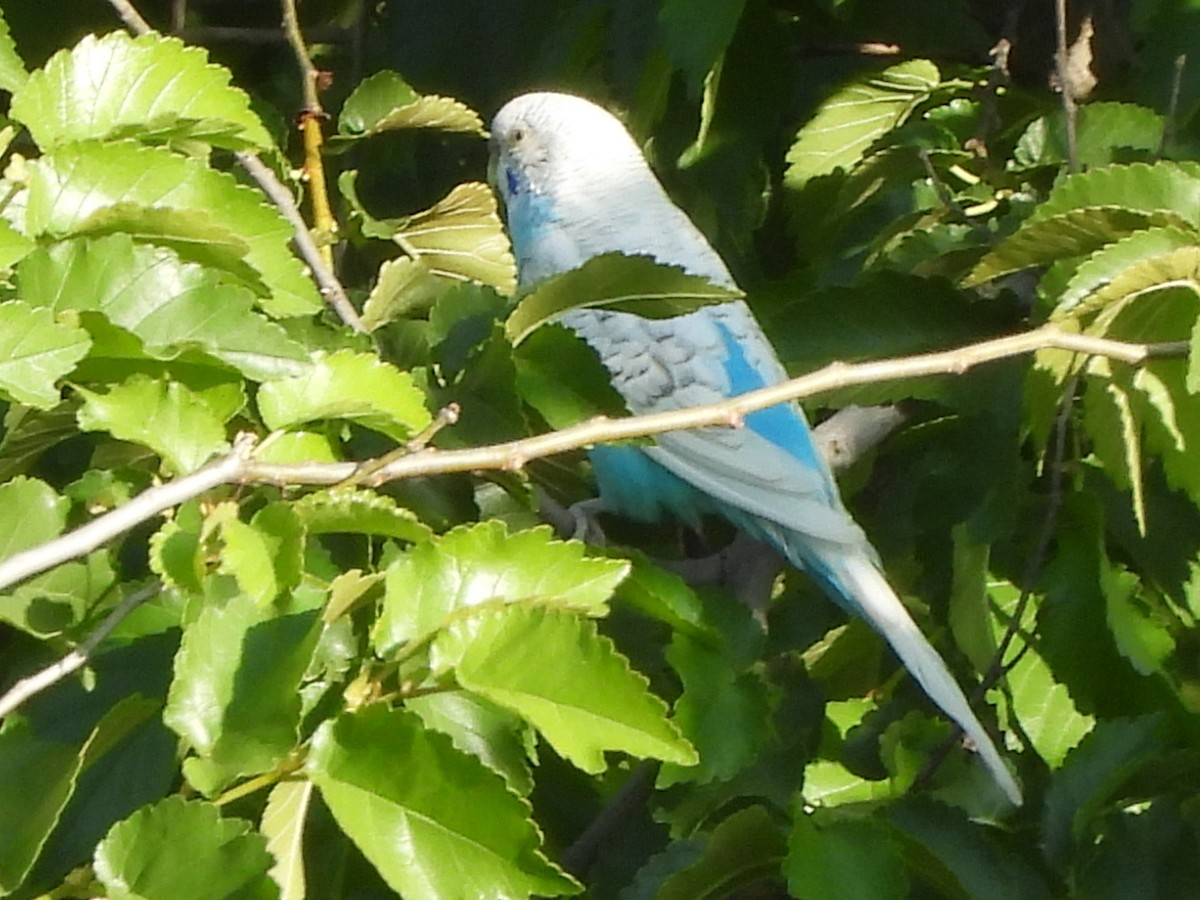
[{"x": 356, "y": 693}]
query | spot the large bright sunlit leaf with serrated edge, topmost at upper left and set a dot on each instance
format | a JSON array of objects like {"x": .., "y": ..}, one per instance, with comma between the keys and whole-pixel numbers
[{"x": 153, "y": 88}]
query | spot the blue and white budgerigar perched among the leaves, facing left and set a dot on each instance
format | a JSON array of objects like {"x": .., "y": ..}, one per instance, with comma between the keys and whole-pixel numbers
[{"x": 574, "y": 187}]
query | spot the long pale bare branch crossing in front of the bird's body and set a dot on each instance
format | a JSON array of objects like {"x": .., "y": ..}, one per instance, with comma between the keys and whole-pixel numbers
[{"x": 239, "y": 467}]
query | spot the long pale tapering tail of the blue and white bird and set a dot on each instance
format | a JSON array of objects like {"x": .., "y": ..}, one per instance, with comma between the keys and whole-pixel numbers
[{"x": 867, "y": 589}]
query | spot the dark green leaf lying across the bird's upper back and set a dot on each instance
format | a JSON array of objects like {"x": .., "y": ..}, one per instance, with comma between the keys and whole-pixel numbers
[{"x": 639, "y": 285}]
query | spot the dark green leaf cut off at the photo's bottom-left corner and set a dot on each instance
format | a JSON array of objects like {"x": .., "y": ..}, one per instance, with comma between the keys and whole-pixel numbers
[{"x": 38, "y": 777}]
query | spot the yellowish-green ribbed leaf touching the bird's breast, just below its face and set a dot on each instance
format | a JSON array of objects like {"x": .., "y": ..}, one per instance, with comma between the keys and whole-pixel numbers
[{"x": 461, "y": 238}]
